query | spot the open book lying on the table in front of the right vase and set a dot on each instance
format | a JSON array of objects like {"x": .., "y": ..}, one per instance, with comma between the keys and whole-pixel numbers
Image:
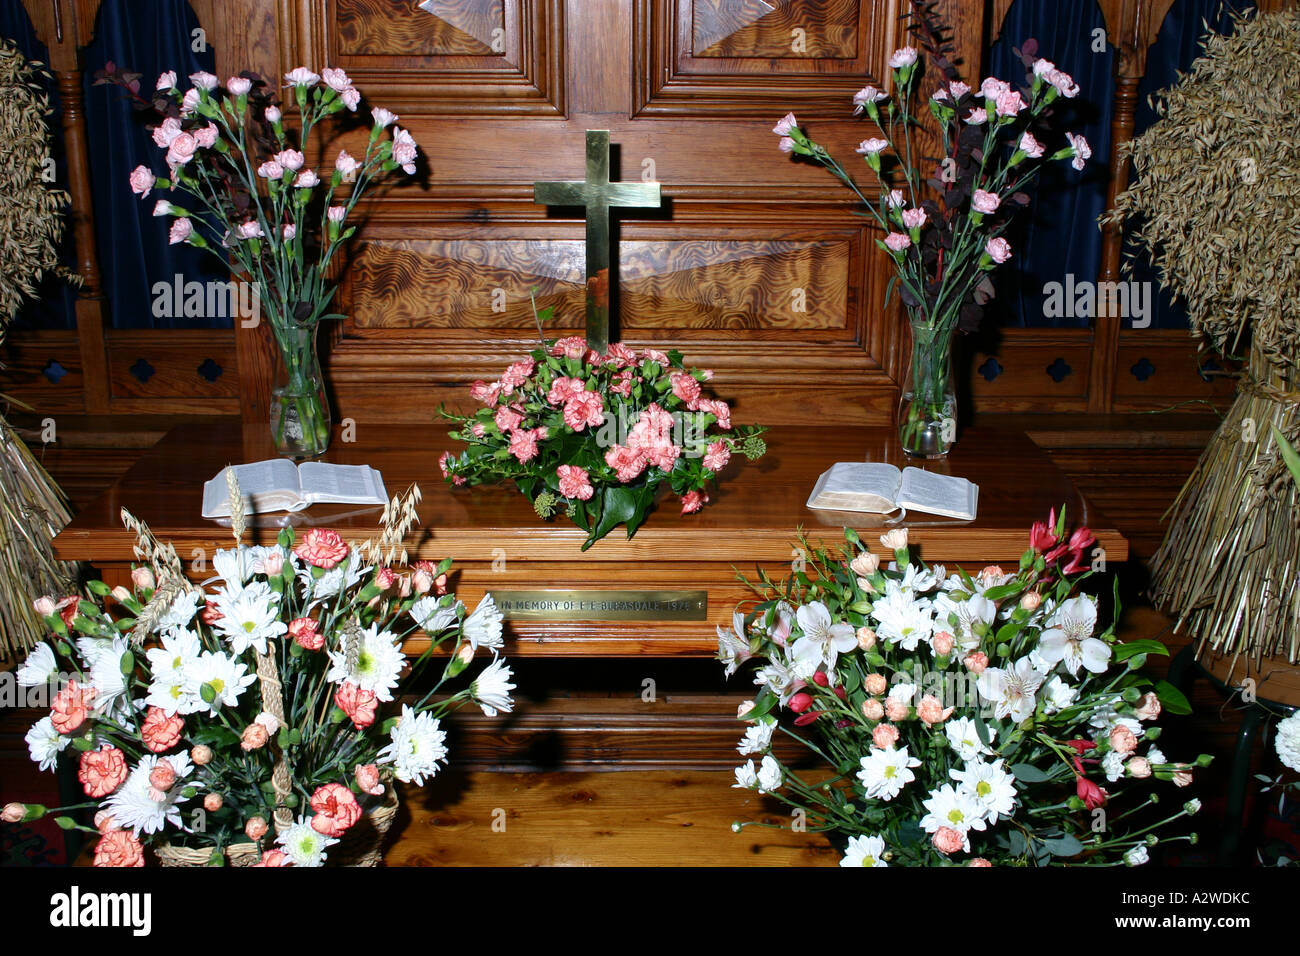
[{"x": 881, "y": 488}]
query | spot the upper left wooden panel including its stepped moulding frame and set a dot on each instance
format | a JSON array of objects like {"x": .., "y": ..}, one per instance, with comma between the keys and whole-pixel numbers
[{"x": 465, "y": 58}]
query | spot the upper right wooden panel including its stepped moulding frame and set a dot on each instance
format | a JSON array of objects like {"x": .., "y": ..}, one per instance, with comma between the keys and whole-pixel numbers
[{"x": 720, "y": 58}]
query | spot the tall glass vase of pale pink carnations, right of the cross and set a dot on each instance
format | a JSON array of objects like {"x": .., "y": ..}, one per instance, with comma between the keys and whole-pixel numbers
[{"x": 944, "y": 232}]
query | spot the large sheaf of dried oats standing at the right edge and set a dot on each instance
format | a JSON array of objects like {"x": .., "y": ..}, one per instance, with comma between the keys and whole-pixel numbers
[{"x": 1217, "y": 187}]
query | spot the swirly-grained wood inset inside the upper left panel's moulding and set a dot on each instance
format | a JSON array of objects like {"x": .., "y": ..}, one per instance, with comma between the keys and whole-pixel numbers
[{"x": 432, "y": 28}]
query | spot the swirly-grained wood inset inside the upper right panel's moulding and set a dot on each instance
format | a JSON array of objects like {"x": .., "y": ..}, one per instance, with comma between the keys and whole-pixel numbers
[{"x": 783, "y": 29}]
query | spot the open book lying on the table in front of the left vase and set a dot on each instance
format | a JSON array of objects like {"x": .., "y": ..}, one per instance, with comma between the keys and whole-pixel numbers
[{"x": 278, "y": 485}]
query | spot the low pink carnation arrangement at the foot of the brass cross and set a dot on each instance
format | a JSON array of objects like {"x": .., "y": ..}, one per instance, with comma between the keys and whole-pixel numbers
[{"x": 596, "y": 436}]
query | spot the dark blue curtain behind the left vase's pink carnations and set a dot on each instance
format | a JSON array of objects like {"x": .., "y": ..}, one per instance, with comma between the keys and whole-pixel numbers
[{"x": 135, "y": 253}]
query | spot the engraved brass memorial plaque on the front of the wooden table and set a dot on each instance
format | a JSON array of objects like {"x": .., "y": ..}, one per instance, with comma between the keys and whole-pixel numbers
[{"x": 603, "y": 605}]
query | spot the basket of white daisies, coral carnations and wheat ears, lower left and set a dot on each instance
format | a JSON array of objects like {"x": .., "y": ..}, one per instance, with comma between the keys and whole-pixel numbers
[{"x": 258, "y": 719}]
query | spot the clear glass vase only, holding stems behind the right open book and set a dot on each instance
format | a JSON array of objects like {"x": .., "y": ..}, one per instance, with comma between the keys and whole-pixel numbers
[{"x": 928, "y": 412}]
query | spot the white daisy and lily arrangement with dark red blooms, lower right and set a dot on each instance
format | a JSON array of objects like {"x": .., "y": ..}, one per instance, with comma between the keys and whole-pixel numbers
[{"x": 956, "y": 720}]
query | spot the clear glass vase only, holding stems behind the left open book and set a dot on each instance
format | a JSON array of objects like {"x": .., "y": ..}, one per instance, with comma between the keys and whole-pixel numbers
[{"x": 300, "y": 409}]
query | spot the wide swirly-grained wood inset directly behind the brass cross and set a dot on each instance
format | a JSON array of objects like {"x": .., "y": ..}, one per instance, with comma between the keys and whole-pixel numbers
[{"x": 690, "y": 284}]
